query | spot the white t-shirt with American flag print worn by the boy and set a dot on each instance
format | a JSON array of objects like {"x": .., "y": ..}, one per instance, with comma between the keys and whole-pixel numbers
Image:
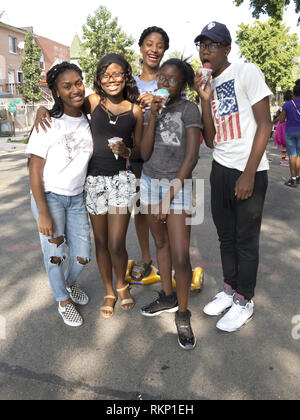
[{"x": 235, "y": 91}]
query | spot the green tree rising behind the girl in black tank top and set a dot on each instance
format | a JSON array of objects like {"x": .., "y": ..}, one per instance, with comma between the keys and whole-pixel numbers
[{"x": 102, "y": 36}]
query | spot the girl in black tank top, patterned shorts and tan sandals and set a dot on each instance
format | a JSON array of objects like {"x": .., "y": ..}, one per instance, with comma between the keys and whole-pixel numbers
[{"x": 109, "y": 186}]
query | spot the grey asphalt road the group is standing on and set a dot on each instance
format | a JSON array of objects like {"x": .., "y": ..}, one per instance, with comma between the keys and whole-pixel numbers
[{"x": 134, "y": 358}]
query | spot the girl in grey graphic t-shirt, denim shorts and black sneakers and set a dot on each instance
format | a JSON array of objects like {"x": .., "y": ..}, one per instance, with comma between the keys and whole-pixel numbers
[{"x": 170, "y": 149}]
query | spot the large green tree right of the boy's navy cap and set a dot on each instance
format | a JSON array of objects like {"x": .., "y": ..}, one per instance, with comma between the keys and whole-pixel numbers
[{"x": 272, "y": 49}]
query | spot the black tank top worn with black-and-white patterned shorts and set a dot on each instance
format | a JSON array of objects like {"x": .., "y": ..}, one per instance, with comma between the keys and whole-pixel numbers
[{"x": 103, "y": 162}]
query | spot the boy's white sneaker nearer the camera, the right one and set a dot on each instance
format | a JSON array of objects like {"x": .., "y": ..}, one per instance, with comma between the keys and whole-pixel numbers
[{"x": 236, "y": 317}]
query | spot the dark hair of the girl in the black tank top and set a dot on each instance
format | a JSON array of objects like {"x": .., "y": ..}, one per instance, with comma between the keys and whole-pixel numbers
[{"x": 131, "y": 92}]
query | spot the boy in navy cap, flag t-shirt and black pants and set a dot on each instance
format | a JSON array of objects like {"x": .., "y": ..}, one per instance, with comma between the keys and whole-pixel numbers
[{"x": 237, "y": 124}]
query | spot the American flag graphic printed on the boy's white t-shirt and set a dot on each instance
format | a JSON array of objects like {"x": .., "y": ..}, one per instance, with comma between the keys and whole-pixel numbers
[{"x": 226, "y": 112}]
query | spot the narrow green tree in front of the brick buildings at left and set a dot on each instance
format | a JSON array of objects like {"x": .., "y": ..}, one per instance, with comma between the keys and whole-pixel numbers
[{"x": 32, "y": 73}]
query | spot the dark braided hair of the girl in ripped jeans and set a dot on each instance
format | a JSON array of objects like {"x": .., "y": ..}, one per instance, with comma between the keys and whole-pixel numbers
[{"x": 58, "y": 109}]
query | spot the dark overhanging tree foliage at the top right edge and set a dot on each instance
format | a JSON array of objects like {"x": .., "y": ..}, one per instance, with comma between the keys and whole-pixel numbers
[{"x": 273, "y": 8}]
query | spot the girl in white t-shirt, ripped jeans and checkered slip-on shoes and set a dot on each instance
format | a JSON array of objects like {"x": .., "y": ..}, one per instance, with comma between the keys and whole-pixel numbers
[{"x": 58, "y": 165}]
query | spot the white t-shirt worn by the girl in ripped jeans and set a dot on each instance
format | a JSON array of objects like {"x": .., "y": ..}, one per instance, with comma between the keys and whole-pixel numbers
[{"x": 67, "y": 148}]
